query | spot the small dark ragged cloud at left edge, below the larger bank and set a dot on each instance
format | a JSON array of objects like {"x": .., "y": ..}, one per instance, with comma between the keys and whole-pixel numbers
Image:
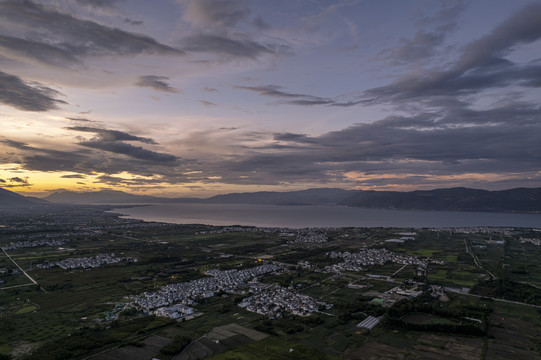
[{"x": 19, "y": 94}]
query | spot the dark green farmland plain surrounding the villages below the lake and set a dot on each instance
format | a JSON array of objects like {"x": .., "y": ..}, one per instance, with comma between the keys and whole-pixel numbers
[{"x": 425, "y": 306}]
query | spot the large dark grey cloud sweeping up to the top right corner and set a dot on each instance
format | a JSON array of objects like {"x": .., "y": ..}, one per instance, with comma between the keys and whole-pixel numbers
[{"x": 482, "y": 64}]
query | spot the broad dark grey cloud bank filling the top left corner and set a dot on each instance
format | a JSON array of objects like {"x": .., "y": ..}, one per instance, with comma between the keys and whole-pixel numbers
[{"x": 63, "y": 38}]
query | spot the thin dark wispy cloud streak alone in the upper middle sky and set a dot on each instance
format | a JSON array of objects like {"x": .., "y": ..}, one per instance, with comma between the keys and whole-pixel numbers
[{"x": 297, "y": 99}]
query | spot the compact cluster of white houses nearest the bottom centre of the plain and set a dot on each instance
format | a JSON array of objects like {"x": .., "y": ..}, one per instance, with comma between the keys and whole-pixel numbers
[{"x": 274, "y": 300}]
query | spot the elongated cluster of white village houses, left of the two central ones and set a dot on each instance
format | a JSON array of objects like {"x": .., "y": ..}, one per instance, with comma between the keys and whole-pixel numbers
[{"x": 187, "y": 293}]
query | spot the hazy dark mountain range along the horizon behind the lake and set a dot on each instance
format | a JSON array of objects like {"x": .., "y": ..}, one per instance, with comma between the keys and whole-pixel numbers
[{"x": 453, "y": 199}]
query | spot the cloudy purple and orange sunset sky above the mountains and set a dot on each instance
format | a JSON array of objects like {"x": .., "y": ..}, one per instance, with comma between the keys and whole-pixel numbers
[{"x": 201, "y": 97}]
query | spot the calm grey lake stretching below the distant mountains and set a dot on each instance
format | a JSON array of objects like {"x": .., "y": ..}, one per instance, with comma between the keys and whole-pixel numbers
[{"x": 321, "y": 216}]
